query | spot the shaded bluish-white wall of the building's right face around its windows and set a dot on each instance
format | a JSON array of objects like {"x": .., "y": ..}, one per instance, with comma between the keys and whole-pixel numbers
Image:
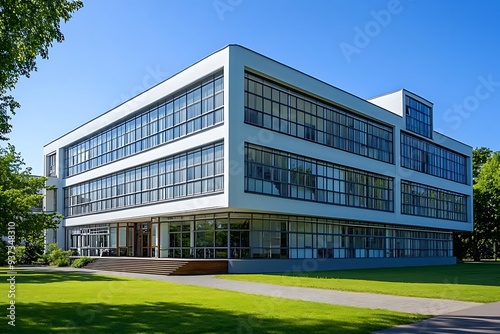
[{"x": 243, "y": 58}]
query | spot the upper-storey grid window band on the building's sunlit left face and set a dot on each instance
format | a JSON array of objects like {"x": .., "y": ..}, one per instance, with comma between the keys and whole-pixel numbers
[{"x": 198, "y": 107}]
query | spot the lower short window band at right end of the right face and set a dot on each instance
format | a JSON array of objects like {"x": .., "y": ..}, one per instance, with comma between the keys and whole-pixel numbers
[{"x": 422, "y": 200}]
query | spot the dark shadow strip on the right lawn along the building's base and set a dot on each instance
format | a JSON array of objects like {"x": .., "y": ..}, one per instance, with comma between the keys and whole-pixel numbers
[{"x": 465, "y": 273}]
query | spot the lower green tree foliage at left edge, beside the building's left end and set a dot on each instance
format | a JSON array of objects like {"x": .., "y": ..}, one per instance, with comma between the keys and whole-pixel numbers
[{"x": 20, "y": 194}]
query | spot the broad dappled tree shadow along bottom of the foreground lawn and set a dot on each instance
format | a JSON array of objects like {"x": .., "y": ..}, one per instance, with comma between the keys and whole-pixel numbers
[{"x": 165, "y": 317}]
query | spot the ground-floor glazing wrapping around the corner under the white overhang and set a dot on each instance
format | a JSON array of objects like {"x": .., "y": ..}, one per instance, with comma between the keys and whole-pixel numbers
[{"x": 252, "y": 235}]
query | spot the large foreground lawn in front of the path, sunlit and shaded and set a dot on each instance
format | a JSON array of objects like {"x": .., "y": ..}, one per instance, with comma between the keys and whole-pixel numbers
[{"x": 74, "y": 302}]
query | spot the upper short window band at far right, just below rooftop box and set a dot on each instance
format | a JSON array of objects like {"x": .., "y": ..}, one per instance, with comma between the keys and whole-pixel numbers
[{"x": 425, "y": 157}]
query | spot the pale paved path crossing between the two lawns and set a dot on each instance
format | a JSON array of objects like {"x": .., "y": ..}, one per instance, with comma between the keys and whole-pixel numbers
[{"x": 426, "y": 306}]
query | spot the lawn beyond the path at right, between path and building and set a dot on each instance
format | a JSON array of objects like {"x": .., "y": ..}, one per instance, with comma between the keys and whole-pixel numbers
[{"x": 475, "y": 282}]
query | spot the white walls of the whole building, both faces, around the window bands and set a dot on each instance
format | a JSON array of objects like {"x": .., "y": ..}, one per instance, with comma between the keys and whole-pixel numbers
[{"x": 234, "y": 61}]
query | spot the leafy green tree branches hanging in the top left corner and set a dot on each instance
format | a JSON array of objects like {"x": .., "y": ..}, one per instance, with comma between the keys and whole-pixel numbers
[{"x": 27, "y": 30}]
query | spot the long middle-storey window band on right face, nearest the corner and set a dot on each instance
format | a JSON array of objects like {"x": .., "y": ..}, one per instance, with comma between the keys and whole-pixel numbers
[{"x": 283, "y": 174}]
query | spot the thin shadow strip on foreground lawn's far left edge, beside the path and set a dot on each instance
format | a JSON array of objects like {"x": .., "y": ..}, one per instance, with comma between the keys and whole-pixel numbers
[{"x": 53, "y": 275}]
